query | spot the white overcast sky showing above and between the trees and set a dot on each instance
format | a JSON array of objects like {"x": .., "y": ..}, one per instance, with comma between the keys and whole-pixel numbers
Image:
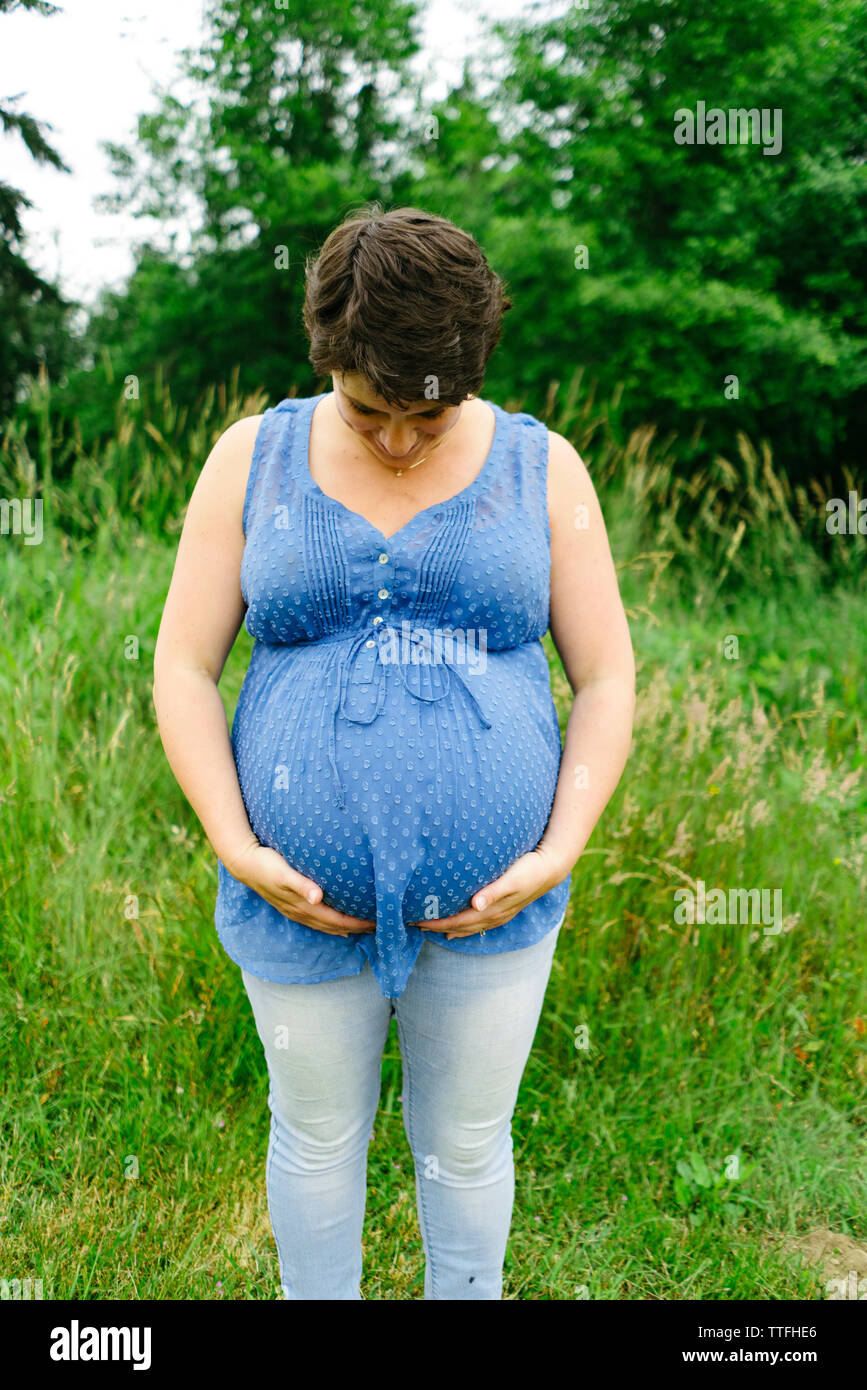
[{"x": 91, "y": 72}]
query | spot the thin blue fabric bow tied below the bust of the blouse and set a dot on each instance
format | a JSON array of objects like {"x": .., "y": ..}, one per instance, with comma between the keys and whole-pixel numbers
[{"x": 363, "y": 673}]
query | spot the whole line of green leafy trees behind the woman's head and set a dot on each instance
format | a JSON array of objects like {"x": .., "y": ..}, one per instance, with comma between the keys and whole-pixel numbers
[{"x": 725, "y": 288}]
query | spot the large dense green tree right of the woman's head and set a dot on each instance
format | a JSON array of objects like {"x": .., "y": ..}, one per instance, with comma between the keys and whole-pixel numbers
[{"x": 707, "y": 261}]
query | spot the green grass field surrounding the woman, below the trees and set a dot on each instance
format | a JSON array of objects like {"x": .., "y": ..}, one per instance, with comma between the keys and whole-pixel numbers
[{"x": 716, "y": 1114}]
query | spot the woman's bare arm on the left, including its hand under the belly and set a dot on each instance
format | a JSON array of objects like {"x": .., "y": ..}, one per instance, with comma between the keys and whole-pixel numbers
[{"x": 204, "y": 614}]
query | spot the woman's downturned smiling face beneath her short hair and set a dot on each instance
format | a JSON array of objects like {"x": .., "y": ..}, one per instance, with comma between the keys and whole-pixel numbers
[{"x": 397, "y": 437}]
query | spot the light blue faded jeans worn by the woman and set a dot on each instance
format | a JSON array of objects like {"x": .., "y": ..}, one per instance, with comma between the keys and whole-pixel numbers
[{"x": 466, "y": 1025}]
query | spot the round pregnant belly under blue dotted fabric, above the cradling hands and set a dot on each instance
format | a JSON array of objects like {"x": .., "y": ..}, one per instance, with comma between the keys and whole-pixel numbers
[{"x": 437, "y": 806}]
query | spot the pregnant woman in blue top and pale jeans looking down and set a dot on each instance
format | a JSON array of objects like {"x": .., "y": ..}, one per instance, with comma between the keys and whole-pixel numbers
[{"x": 394, "y": 821}]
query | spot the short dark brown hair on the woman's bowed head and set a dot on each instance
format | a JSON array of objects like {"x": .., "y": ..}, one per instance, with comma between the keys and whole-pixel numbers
[{"x": 399, "y": 298}]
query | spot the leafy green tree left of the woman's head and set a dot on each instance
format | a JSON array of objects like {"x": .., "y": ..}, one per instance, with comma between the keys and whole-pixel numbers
[{"x": 288, "y": 131}]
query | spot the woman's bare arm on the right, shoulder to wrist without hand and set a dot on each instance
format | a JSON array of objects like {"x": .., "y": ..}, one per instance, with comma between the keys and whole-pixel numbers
[{"x": 590, "y": 630}]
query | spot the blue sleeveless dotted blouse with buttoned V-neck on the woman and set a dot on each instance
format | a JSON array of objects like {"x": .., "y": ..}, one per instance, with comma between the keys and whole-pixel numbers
[{"x": 395, "y": 737}]
